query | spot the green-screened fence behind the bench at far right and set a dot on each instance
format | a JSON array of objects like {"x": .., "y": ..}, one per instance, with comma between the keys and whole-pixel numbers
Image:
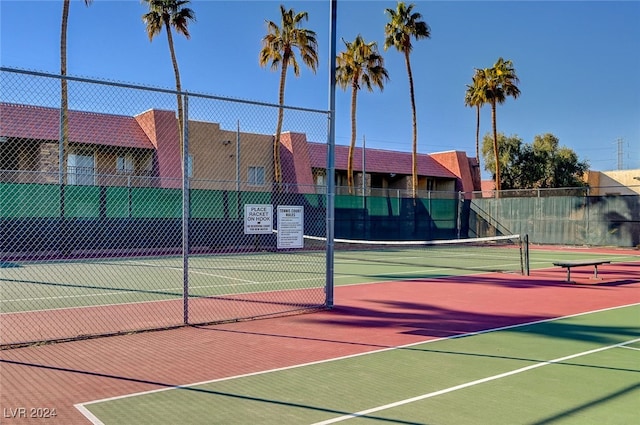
[{"x": 563, "y": 216}]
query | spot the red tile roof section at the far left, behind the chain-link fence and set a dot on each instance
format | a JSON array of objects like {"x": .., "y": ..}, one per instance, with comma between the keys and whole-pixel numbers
[{"x": 36, "y": 122}]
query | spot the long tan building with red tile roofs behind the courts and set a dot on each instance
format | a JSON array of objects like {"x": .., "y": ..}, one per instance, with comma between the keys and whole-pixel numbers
[{"x": 144, "y": 150}]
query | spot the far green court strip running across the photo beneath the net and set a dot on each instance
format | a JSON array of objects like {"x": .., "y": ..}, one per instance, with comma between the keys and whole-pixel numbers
[{"x": 63, "y": 284}]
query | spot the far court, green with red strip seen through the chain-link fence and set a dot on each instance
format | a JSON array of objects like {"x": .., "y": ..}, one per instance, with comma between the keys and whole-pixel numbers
[{"x": 74, "y": 298}]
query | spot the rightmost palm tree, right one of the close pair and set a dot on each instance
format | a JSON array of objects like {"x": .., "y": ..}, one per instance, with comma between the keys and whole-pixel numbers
[{"x": 497, "y": 83}]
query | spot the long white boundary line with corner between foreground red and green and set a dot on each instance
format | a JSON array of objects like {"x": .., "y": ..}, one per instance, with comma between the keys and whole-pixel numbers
[{"x": 81, "y": 406}]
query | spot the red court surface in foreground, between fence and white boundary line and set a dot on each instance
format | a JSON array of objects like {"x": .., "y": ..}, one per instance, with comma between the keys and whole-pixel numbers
[{"x": 366, "y": 317}]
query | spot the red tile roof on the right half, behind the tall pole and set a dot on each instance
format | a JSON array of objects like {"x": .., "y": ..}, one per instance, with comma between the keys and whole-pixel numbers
[{"x": 378, "y": 161}]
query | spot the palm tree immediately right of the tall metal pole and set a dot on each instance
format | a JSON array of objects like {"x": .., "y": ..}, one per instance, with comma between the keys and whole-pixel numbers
[{"x": 359, "y": 64}]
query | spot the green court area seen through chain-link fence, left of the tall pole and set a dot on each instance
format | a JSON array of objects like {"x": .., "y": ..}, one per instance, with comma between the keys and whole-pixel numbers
[{"x": 67, "y": 284}]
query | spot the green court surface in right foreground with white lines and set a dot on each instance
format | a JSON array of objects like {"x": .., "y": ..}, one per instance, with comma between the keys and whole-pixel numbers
[{"x": 581, "y": 369}]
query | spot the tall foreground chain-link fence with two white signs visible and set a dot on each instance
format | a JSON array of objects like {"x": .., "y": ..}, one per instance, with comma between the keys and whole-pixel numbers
[{"x": 101, "y": 234}]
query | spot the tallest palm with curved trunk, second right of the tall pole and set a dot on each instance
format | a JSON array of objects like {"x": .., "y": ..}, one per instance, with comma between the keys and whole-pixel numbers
[{"x": 404, "y": 25}]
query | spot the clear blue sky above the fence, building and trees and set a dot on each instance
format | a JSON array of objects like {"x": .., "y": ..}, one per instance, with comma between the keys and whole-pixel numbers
[{"x": 578, "y": 64}]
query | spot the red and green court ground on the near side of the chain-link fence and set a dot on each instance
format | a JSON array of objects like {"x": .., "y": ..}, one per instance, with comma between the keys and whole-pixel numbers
[{"x": 409, "y": 342}]
